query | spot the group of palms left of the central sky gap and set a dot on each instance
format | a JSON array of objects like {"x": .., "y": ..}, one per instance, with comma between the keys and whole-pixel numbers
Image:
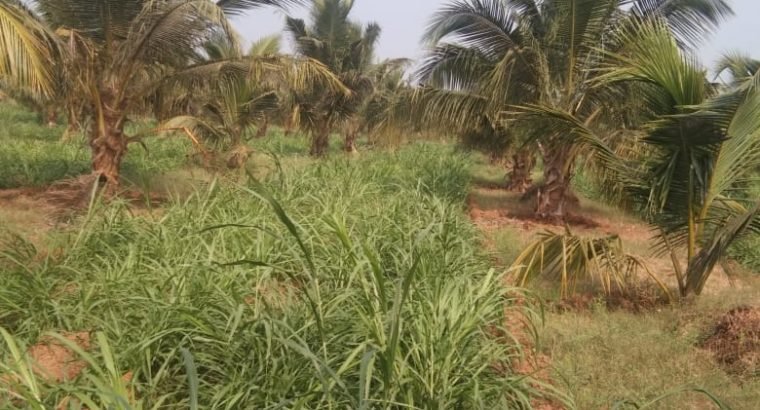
[{"x": 181, "y": 62}]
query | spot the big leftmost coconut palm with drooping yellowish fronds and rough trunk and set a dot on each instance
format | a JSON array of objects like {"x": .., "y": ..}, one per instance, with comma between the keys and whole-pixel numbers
[{"x": 135, "y": 45}]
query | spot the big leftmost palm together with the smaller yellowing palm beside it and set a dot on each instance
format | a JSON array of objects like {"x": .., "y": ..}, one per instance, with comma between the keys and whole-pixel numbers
[{"x": 107, "y": 60}]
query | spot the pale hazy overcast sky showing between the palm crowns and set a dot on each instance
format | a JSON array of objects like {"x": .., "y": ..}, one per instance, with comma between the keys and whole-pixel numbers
[{"x": 403, "y": 22}]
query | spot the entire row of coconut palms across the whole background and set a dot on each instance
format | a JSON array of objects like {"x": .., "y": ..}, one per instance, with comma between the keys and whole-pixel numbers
[{"x": 611, "y": 82}]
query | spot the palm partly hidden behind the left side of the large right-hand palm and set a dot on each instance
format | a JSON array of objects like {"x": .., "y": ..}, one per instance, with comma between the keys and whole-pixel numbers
[{"x": 474, "y": 78}]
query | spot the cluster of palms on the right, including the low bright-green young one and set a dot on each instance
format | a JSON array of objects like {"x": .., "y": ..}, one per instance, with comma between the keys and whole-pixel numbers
[{"x": 614, "y": 81}]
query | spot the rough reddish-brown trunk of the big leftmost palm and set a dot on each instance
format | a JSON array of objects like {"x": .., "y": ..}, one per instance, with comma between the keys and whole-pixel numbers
[{"x": 107, "y": 140}]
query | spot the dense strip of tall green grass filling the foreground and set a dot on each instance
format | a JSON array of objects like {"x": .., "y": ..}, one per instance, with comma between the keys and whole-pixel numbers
[{"x": 346, "y": 284}]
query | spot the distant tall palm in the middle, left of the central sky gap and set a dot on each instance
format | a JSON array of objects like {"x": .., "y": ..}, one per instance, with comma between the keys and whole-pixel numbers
[{"x": 347, "y": 49}]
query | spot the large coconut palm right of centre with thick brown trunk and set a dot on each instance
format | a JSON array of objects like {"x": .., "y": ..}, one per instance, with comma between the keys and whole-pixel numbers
[{"x": 532, "y": 60}]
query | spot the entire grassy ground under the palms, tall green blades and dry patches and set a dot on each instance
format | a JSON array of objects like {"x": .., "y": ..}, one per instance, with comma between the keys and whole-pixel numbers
[{"x": 370, "y": 281}]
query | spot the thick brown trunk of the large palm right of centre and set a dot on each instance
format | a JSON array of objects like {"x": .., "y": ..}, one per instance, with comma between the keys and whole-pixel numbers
[{"x": 553, "y": 194}]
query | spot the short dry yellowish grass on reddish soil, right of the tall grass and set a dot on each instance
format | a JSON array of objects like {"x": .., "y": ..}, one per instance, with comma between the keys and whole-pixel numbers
[{"x": 602, "y": 356}]
